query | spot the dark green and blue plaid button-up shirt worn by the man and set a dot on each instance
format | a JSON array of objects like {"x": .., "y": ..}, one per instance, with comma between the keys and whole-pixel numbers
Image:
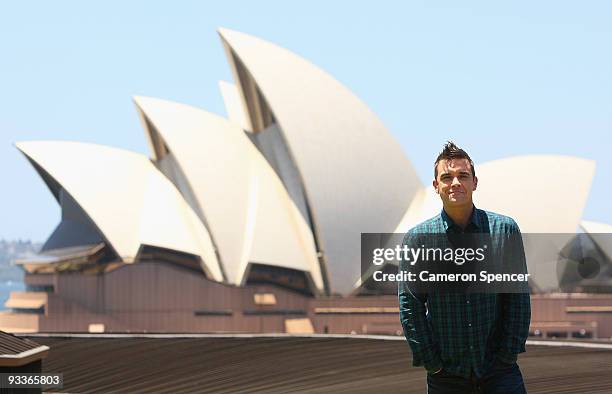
[{"x": 463, "y": 333}]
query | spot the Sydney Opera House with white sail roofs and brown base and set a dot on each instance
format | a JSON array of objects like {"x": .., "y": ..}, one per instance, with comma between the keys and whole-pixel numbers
[{"x": 252, "y": 223}]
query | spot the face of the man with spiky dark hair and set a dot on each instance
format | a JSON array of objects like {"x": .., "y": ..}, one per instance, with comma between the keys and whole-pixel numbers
[{"x": 455, "y": 183}]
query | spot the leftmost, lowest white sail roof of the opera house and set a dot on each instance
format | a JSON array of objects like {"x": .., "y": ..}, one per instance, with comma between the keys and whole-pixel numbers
[{"x": 127, "y": 198}]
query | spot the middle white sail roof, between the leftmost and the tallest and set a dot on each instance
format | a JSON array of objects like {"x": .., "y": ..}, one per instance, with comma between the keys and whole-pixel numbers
[{"x": 240, "y": 197}]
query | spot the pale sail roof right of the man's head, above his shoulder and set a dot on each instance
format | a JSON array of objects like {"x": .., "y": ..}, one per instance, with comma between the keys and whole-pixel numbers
[{"x": 543, "y": 193}]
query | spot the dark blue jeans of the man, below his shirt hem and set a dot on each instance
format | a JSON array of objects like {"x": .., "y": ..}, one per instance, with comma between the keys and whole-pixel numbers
[{"x": 501, "y": 378}]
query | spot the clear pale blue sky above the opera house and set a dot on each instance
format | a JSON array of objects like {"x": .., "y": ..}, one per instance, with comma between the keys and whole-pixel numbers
[{"x": 499, "y": 78}]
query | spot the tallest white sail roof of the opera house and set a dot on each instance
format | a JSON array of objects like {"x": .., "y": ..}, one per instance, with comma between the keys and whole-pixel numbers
[{"x": 355, "y": 176}]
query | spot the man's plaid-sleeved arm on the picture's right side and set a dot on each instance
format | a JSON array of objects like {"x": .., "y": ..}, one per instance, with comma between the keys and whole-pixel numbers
[{"x": 516, "y": 307}]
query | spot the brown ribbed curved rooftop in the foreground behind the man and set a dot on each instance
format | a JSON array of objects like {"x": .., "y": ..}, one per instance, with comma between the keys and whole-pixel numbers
[{"x": 283, "y": 364}]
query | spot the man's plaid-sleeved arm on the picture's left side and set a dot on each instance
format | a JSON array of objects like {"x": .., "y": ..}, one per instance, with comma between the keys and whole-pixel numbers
[{"x": 414, "y": 323}]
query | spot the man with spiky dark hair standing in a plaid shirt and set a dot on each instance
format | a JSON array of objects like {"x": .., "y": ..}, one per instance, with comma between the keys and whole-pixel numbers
[{"x": 467, "y": 342}]
